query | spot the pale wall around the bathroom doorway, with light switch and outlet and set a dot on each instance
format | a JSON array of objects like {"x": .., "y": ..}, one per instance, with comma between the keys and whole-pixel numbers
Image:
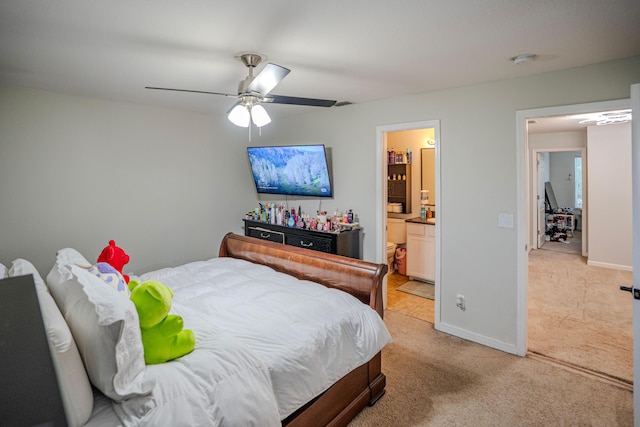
[{"x": 478, "y": 178}]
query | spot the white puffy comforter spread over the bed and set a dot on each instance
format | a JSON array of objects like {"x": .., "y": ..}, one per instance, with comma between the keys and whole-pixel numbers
[{"x": 266, "y": 343}]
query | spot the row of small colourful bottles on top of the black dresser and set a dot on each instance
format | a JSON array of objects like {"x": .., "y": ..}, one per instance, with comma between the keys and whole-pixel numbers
[{"x": 269, "y": 213}]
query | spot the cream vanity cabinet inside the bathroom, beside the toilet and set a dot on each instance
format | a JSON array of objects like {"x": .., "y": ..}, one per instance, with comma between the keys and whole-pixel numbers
[{"x": 421, "y": 250}]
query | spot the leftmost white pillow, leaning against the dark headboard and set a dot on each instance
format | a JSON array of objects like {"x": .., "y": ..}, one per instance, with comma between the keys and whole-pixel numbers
[{"x": 73, "y": 382}]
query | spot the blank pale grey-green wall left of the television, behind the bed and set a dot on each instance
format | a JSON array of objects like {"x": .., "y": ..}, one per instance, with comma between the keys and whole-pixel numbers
[{"x": 166, "y": 185}]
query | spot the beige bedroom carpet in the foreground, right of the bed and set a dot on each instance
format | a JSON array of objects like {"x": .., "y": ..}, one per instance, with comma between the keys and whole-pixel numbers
[{"x": 435, "y": 379}]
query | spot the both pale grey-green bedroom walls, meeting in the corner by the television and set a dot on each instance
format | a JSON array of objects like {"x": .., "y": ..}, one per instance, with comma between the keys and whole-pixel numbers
[{"x": 167, "y": 185}]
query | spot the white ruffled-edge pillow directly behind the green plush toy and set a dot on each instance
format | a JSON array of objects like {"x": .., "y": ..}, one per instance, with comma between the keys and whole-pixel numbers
[{"x": 107, "y": 331}]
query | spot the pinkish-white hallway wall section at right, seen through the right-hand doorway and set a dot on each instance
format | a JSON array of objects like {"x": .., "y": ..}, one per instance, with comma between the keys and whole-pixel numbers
[{"x": 609, "y": 201}]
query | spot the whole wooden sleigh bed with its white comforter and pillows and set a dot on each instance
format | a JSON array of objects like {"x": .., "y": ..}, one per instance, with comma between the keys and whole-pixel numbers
[{"x": 336, "y": 401}]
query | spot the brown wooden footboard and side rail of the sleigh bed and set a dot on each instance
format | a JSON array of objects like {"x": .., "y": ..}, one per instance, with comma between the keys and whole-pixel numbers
[{"x": 364, "y": 385}]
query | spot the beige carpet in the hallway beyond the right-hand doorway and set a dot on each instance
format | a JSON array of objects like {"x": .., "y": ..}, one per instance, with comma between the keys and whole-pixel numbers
[{"x": 578, "y": 315}]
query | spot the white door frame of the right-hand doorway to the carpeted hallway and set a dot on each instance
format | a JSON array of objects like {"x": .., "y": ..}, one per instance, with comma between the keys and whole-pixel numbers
[{"x": 523, "y": 198}]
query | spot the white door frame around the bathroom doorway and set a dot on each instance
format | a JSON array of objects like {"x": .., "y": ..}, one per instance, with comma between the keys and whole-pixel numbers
[{"x": 381, "y": 204}]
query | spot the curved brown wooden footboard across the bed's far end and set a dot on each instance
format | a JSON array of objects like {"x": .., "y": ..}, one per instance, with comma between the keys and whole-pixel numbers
[{"x": 361, "y": 279}]
